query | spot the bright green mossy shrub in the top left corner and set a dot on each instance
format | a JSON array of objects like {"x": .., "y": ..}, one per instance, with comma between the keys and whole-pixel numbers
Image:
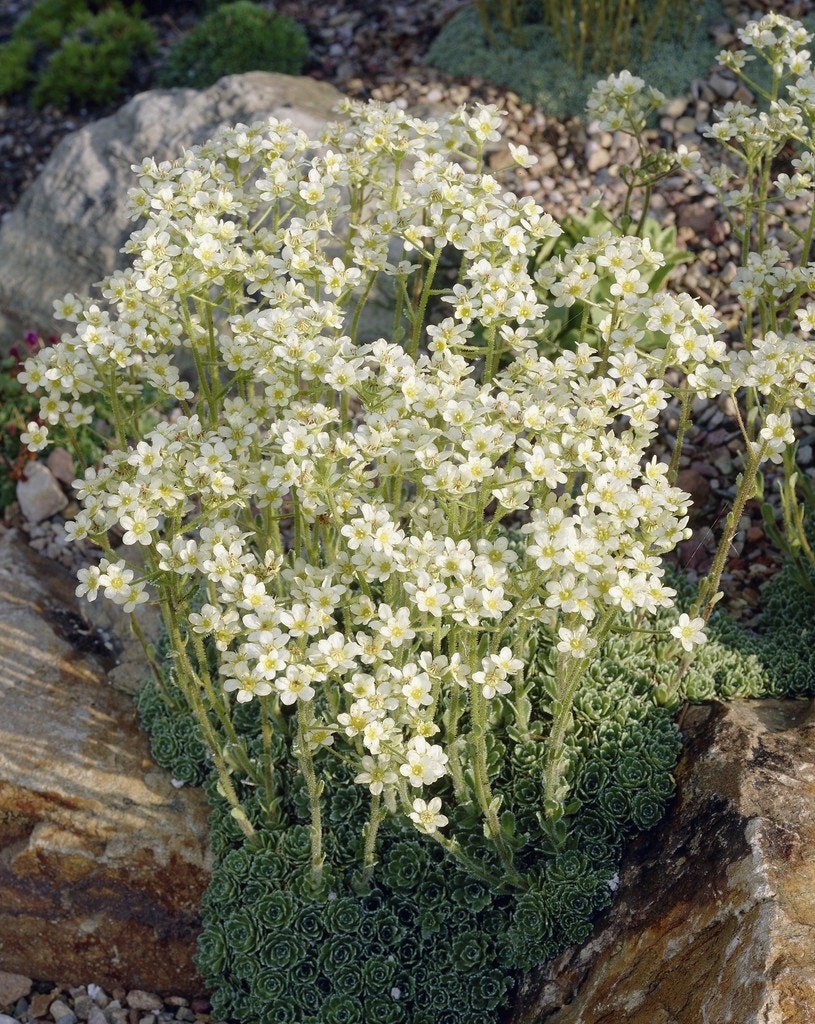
[{"x": 74, "y": 53}]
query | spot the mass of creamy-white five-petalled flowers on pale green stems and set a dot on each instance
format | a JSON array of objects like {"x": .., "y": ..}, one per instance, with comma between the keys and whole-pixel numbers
[{"x": 324, "y": 519}]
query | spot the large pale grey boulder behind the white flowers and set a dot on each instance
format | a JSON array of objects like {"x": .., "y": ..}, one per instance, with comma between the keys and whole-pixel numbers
[{"x": 67, "y": 232}]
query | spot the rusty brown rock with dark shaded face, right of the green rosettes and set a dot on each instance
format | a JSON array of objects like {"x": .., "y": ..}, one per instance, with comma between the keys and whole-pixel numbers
[{"x": 715, "y": 917}]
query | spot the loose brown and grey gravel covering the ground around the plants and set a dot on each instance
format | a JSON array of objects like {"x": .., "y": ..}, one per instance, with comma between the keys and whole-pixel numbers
[{"x": 375, "y": 50}]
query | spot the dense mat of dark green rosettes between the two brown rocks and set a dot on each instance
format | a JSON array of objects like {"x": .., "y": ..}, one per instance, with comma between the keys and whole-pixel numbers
[{"x": 450, "y": 944}]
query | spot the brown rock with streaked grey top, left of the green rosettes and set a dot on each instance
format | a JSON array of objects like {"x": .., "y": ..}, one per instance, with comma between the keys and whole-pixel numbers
[{"x": 103, "y": 862}]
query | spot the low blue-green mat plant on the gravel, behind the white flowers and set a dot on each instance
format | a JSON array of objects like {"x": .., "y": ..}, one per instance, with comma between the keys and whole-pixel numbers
[{"x": 541, "y": 71}]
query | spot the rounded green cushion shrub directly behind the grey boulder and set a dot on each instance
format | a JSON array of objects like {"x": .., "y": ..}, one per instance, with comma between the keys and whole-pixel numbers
[{"x": 236, "y": 38}]
